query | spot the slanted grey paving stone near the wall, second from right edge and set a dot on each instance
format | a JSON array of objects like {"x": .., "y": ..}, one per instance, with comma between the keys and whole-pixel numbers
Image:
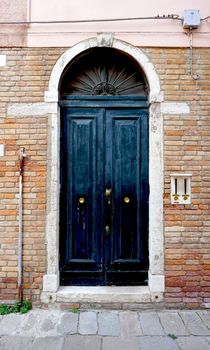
[{"x": 194, "y": 323}]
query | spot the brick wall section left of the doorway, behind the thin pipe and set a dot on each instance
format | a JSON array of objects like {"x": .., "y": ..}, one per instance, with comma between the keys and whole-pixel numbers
[{"x": 24, "y": 79}]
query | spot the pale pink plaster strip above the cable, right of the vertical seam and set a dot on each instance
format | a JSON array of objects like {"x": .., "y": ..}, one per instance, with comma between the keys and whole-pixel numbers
[{"x": 85, "y": 9}]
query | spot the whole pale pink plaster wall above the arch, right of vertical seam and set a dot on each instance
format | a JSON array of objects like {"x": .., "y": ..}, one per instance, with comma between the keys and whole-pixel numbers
[{"x": 141, "y": 33}]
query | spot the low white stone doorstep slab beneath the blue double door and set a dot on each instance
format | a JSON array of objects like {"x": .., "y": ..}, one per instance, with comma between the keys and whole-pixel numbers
[{"x": 99, "y": 294}]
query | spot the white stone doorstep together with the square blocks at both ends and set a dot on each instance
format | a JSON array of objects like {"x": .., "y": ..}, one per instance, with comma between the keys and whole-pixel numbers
[{"x": 52, "y": 293}]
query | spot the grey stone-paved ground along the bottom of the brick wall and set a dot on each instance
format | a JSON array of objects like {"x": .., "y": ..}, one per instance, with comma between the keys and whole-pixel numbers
[{"x": 106, "y": 330}]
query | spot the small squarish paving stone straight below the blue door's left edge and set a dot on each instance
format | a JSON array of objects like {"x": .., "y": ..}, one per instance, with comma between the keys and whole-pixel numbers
[{"x": 68, "y": 323}]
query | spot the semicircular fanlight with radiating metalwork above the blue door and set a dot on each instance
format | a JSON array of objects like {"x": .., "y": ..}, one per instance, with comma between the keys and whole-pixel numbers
[{"x": 103, "y": 72}]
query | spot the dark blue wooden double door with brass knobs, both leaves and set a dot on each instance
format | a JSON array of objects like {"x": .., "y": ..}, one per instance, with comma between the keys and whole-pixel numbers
[{"x": 104, "y": 196}]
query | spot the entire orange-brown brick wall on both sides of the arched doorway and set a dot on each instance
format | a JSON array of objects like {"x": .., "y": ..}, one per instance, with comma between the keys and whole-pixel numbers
[{"x": 186, "y": 149}]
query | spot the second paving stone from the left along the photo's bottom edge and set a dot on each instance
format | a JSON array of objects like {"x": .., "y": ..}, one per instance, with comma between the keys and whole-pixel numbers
[{"x": 48, "y": 343}]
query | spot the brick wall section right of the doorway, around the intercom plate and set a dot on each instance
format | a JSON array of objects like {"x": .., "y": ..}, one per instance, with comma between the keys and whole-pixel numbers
[{"x": 187, "y": 150}]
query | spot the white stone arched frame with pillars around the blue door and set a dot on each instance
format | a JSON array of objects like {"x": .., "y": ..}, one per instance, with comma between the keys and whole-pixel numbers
[{"x": 156, "y": 282}]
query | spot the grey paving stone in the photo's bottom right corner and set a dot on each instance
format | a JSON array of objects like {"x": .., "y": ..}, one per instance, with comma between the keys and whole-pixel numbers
[{"x": 193, "y": 343}]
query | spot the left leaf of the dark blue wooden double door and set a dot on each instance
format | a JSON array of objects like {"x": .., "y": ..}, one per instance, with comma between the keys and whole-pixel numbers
[{"x": 81, "y": 202}]
